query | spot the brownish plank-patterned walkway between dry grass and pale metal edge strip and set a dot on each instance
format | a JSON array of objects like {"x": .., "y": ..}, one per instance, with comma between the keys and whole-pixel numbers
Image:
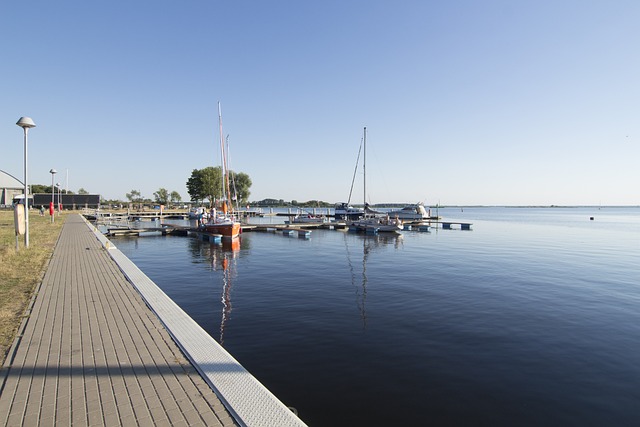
[{"x": 91, "y": 352}]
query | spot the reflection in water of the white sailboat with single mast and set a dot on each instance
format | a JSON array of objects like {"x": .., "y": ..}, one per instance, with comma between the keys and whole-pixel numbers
[{"x": 369, "y": 244}]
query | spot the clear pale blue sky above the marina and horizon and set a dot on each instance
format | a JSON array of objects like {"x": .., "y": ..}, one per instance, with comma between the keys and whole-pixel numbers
[{"x": 465, "y": 102}]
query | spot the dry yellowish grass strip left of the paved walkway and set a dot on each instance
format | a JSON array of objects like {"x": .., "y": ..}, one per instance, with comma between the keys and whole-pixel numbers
[{"x": 21, "y": 271}]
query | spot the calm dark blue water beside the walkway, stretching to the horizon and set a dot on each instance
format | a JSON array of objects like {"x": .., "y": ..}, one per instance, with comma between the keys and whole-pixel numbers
[{"x": 531, "y": 318}]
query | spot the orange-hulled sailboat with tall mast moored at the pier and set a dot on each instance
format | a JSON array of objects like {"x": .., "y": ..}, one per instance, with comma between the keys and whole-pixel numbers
[{"x": 222, "y": 221}]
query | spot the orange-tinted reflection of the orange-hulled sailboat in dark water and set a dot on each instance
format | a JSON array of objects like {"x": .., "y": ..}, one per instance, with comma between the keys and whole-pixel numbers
[{"x": 224, "y": 258}]
